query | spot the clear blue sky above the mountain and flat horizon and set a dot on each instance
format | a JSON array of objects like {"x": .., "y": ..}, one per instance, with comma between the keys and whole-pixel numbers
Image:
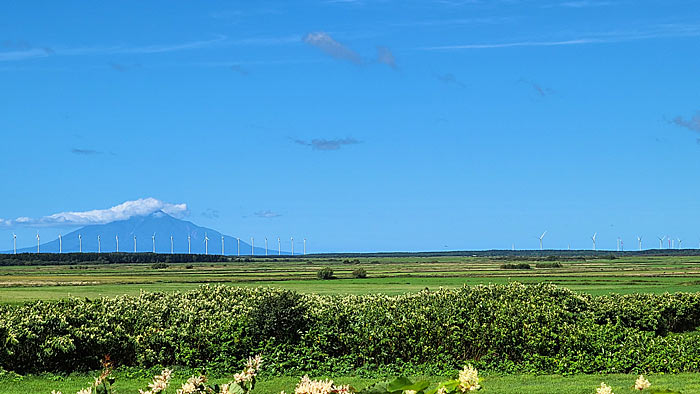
[{"x": 360, "y": 125}]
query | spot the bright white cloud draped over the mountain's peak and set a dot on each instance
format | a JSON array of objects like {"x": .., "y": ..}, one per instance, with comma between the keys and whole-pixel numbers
[{"x": 124, "y": 211}]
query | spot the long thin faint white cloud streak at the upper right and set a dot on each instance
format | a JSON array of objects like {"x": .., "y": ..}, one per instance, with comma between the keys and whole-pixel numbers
[{"x": 658, "y": 31}]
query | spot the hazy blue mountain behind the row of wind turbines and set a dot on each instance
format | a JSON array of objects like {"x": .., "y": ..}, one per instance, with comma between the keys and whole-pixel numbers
[{"x": 143, "y": 227}]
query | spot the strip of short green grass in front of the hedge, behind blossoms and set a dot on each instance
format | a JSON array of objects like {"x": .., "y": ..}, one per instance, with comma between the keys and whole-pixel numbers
[{"x": 513, "y": 384}]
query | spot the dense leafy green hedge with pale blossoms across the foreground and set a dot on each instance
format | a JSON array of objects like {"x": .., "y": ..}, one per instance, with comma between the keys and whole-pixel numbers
[{"x": 498, "y": 328}]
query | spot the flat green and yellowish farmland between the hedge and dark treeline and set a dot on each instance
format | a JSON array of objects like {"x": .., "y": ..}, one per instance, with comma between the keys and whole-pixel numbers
[{"x": 389, "y": 275}]
